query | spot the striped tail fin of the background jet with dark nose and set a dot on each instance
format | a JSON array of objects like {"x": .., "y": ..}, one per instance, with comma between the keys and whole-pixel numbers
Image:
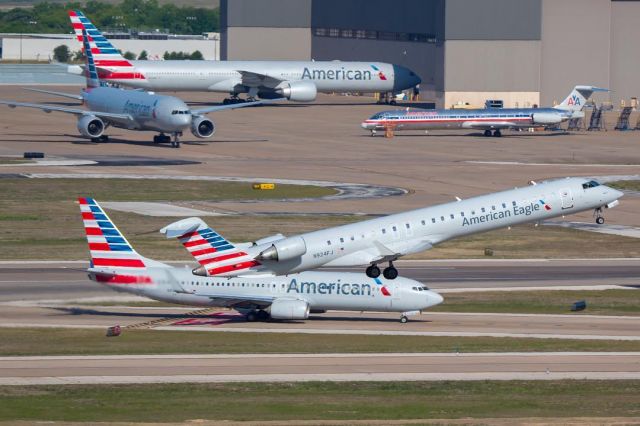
[{"x": 105, "y": 54}]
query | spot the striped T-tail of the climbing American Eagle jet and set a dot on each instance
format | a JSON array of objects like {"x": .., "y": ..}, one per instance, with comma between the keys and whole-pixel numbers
[{"x": 215, "y": 254}]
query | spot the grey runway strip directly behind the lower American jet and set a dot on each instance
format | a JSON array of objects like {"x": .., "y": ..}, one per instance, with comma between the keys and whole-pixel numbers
[{"x": 20, "y": 281}]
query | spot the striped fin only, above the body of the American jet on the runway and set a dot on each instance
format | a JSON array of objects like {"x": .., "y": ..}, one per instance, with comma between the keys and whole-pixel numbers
[{"x": 108, "y": 247}]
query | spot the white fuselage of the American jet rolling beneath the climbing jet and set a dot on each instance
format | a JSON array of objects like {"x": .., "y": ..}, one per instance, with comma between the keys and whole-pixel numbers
[{"x": 322, "y": 290}]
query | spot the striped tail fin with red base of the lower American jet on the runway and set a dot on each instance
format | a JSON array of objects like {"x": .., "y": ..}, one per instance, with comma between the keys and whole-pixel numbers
[{"x": 113, "y": 259}]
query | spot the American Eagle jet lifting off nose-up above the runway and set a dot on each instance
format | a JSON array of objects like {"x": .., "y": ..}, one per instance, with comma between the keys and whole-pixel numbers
[{"x": 389, "y": 238}]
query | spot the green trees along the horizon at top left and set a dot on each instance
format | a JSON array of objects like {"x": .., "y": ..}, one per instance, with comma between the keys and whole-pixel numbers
[{"x": 139, "y": 15}]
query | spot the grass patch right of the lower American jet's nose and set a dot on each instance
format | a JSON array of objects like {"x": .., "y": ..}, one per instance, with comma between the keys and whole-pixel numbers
[{"x": 606, "y": 302}]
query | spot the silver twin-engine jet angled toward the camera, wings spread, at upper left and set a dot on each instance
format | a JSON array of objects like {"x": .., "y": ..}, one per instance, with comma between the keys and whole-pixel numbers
[{"x": 131, "y": 109}]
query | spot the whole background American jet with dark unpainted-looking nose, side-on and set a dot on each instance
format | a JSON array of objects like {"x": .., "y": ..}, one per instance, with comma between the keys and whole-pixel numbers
[{"x": 294, "y": 80}]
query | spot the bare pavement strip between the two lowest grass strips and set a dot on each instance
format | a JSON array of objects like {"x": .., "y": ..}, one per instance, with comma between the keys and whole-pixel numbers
[{"x": 310, "y": 367}]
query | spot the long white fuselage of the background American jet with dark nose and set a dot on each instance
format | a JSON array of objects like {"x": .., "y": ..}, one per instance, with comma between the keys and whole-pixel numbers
[{"x": 227, "y": 76}]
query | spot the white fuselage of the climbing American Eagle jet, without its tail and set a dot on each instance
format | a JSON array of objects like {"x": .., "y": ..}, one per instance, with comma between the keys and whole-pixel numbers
[{"x": 418, "y": 230}]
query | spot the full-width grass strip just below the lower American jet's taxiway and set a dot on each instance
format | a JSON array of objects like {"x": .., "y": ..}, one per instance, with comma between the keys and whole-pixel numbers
[{"x": 40, "y": 341}]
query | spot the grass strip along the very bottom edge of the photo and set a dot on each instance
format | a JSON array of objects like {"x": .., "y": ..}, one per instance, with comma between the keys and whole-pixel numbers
[{"x": 321, "y": 401}]
